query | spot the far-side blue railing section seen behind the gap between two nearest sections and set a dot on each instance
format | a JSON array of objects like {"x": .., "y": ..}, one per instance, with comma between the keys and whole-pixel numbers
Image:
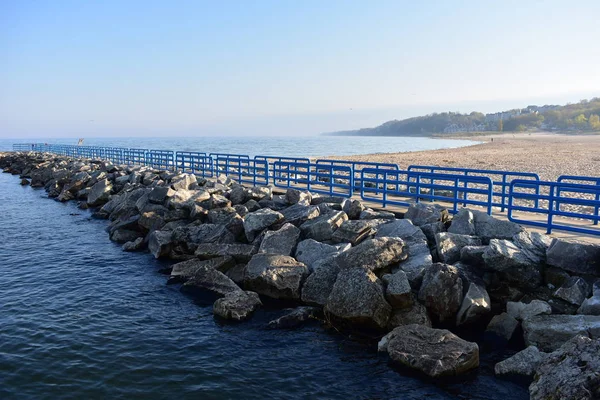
[{"x": 500, "y": 179}]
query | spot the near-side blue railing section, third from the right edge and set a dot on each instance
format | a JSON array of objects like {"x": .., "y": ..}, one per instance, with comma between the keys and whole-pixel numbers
[{"x": 334, "y": 180}]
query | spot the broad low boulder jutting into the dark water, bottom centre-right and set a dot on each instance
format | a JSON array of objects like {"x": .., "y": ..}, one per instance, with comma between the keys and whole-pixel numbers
[{"x": 434, "y": 352}]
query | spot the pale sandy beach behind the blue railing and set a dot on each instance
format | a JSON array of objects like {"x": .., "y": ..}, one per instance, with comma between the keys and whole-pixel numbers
[{"x": 549, "y": 155}]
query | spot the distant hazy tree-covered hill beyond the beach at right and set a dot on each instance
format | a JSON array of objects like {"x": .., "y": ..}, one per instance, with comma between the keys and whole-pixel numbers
[{"x": 580, "y": 117}]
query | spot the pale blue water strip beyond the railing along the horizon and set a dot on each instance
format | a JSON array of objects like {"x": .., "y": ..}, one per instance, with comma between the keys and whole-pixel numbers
[{"x": 310, "y": 146}]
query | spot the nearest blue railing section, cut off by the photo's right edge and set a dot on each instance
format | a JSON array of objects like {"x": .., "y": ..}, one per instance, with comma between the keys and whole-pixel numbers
[{"x": 554, "y": 196}]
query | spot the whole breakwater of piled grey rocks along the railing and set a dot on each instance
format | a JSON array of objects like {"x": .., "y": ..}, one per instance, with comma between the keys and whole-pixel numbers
[{"x": 419, "y": 282}]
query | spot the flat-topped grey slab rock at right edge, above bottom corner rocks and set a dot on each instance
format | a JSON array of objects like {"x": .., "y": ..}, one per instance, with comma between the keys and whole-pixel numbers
[{"x": 549, "y": 332}]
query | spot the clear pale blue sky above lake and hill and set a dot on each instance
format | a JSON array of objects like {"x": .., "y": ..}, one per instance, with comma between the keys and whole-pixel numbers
[{"x": 180, "y": 68}]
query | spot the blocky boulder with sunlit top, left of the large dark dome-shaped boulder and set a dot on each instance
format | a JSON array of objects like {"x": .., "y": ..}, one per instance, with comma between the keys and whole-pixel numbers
[{"x": 276, "y": 276}]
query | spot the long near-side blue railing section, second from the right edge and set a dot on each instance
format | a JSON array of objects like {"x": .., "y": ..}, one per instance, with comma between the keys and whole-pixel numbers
[{"x": 389, "y": 187}]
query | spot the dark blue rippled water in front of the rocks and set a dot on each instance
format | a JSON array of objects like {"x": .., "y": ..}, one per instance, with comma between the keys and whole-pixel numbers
[{"x": 81, "y": 319}]
